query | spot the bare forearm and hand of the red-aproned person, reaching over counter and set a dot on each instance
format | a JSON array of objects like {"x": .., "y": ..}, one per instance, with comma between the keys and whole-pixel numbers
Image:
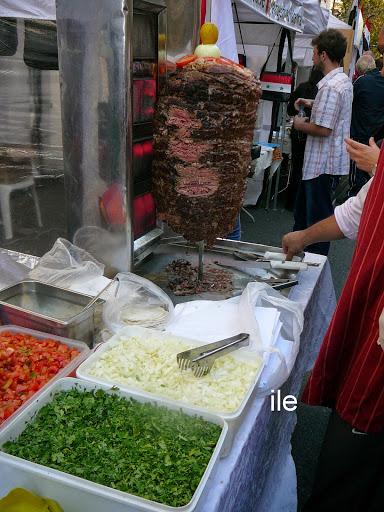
[{"x": 324, "y": 231}]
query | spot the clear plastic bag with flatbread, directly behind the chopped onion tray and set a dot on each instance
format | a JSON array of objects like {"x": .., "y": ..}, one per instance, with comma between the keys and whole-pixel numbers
[{"x": 137, "y": 302}]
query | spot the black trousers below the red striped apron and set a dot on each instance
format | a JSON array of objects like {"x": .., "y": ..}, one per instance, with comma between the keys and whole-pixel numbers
[{"x": 350, "y": 472}]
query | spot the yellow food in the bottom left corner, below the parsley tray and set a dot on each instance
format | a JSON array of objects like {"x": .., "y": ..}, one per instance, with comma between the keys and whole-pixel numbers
[{"x": 21, "y": 500}]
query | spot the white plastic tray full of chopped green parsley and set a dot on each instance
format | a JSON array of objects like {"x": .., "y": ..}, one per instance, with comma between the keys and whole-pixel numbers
[{"x": 128, "y": 443}]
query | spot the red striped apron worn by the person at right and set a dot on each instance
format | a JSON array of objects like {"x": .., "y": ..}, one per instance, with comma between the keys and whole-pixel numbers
[{"x": 349, "y": 372}]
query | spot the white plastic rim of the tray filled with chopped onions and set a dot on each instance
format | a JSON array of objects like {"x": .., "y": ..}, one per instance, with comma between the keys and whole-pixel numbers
[{"x": 233, "y": 420}]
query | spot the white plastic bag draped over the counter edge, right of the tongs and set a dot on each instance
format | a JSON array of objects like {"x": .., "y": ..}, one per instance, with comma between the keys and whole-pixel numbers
[{"x": 282, "y": 355}]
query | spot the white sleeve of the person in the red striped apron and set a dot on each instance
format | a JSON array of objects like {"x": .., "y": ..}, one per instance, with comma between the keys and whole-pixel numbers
[{"x": 348, "y": 214}]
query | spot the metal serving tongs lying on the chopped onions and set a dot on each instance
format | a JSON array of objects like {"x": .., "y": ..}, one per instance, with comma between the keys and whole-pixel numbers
[{"x": 201, "y": 359}]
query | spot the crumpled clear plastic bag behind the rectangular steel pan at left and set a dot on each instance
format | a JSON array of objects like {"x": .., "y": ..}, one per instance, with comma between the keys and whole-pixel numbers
[{"x": 66, "y": 264}]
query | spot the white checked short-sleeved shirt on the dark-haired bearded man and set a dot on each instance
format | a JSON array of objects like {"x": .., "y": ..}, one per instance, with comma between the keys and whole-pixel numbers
[{"x": 331, "y": 109}]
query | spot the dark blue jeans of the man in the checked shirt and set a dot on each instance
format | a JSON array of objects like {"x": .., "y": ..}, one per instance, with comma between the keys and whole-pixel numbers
[{"x": 314, "y": 203}]
